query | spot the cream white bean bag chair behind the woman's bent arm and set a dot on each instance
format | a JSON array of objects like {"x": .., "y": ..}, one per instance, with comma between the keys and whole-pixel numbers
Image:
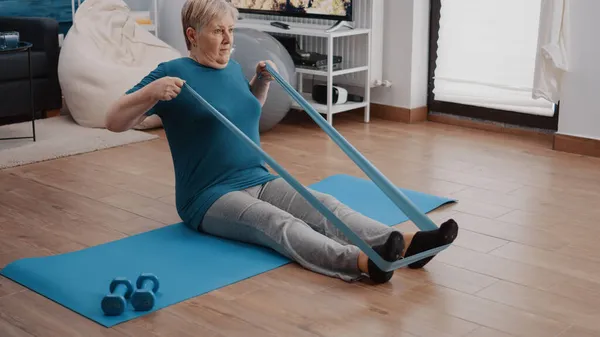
[{"x": 103, "y": 55}]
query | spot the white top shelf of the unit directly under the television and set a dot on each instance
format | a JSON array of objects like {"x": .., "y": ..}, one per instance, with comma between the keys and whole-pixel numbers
[{"x": 299, "y": 28}]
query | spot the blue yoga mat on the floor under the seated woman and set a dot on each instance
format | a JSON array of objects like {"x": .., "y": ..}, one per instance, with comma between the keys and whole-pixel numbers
[{"x": 187, "y": 263}]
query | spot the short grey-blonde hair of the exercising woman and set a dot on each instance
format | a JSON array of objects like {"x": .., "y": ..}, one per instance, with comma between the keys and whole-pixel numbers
[{"x": 197, "y": 13}]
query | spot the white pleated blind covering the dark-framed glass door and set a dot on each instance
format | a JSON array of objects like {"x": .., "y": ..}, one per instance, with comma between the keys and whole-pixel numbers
[{"x": 487, "y": 55}]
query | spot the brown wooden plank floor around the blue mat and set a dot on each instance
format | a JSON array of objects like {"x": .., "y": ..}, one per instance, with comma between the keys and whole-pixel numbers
[{"x": 526, "y": 262}]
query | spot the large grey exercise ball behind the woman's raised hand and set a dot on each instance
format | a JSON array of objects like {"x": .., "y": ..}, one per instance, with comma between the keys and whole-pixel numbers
[{"x": 252, "y": 46}]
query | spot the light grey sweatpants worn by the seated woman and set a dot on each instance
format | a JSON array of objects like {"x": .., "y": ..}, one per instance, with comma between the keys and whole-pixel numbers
[{"x": 275, "y": 215}]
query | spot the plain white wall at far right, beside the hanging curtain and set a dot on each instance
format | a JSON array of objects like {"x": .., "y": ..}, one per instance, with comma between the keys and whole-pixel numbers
[{"x": 579, "y": 110}]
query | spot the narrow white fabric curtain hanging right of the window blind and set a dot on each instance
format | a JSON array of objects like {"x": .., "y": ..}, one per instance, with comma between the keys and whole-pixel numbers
[{"x": 551, "y": 61}]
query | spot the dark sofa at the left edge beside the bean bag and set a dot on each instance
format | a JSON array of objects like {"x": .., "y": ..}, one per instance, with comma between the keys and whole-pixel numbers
[{"x": 14, "y": 79}]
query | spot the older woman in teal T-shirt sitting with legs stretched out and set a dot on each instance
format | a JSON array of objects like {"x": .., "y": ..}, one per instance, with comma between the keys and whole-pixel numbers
[{"x": 224, "y": 188}]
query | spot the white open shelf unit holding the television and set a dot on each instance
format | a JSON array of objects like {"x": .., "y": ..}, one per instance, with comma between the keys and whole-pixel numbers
[{"x": 305, "y": 29}]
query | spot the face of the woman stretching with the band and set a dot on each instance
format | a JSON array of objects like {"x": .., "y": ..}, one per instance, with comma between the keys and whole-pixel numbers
[{"x": 211, "y": 46}]
